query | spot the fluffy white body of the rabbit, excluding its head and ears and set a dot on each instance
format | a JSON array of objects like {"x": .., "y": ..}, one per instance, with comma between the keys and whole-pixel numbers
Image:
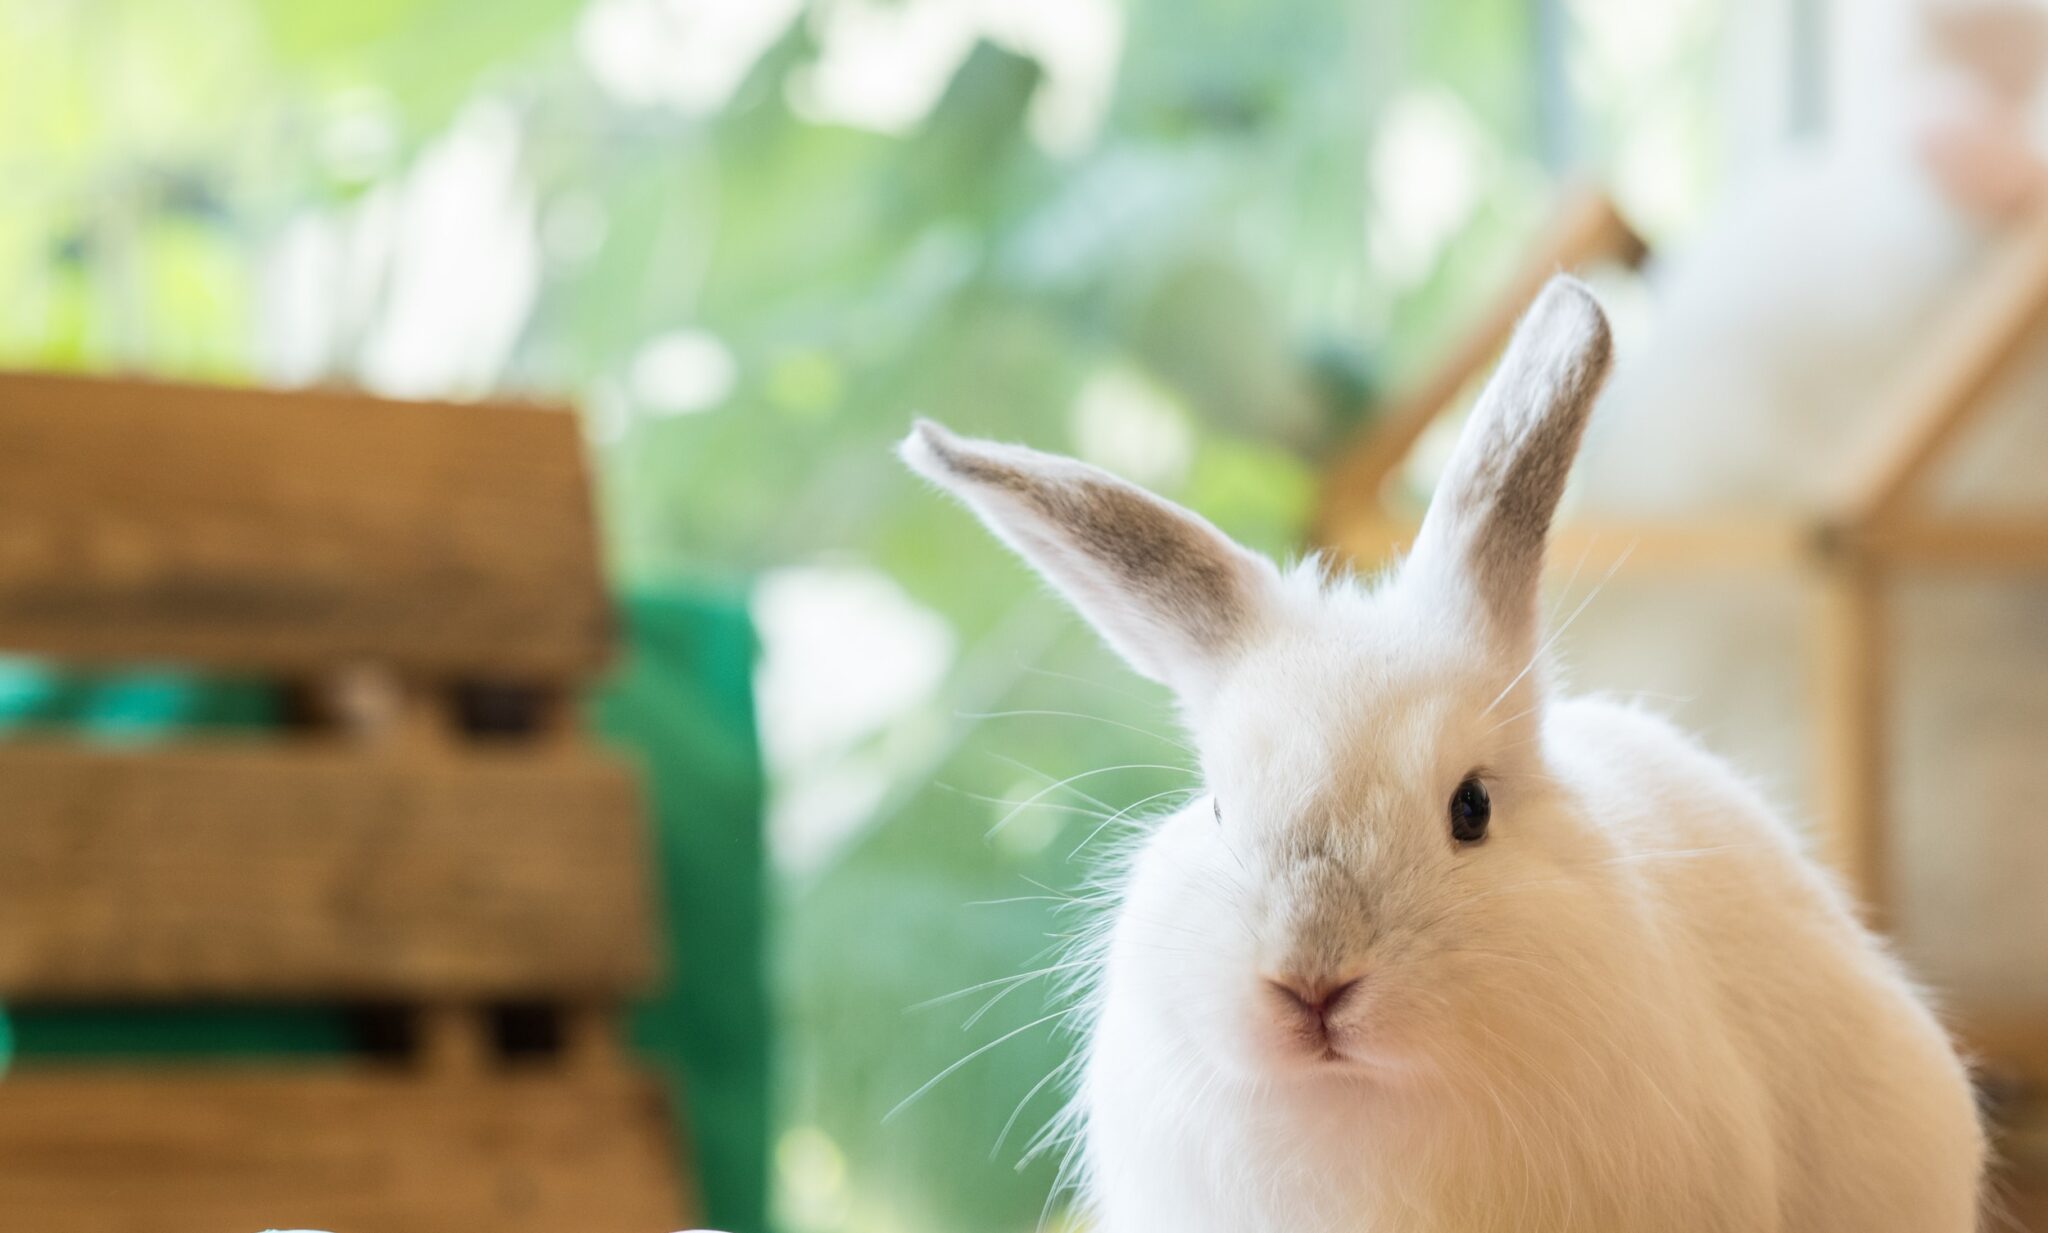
[{"x": 1701, "y": 1037}]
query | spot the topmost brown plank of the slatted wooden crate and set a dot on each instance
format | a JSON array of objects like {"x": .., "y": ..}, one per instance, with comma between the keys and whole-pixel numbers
[{"x": 294, "y": 532}]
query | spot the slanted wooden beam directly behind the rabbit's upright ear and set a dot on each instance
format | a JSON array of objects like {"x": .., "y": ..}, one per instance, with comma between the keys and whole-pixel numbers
[{"x": 1586, "y": 230}]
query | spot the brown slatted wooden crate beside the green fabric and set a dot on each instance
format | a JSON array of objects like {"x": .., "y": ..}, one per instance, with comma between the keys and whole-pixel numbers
[{"x": 429, "y": 837}]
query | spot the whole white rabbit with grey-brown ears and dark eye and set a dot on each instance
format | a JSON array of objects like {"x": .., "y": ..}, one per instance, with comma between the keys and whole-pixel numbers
[{"x": 1445, "y": 951}]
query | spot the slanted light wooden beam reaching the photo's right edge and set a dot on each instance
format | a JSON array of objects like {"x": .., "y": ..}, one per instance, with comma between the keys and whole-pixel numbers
[{"x": 1943, "y": 394}]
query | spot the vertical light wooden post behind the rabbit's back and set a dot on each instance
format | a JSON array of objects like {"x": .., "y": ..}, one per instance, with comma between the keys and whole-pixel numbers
[{"x": 1852, "y": 706}]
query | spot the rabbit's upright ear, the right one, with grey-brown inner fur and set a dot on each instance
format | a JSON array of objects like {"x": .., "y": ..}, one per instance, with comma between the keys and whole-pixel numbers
[{"x": 1492, "y": 513}]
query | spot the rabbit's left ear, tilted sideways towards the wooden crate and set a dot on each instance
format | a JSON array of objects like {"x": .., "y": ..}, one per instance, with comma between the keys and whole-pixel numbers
[{"x": 1170, "y": 593}]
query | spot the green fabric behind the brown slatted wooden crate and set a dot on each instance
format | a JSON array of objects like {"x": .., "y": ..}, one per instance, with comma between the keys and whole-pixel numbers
[{"x": 681, "y": 706}]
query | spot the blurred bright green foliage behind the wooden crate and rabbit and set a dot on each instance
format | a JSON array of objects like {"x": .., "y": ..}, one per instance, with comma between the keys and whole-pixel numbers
[{"x": 1222, "y": 251}]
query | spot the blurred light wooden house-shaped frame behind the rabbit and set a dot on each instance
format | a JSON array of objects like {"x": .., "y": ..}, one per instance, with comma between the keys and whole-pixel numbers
[{"x": 1871, "y": 532}]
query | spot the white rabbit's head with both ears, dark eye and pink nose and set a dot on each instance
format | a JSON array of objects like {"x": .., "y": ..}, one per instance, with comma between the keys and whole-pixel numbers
[{"x": 1373, "y": 755}]
